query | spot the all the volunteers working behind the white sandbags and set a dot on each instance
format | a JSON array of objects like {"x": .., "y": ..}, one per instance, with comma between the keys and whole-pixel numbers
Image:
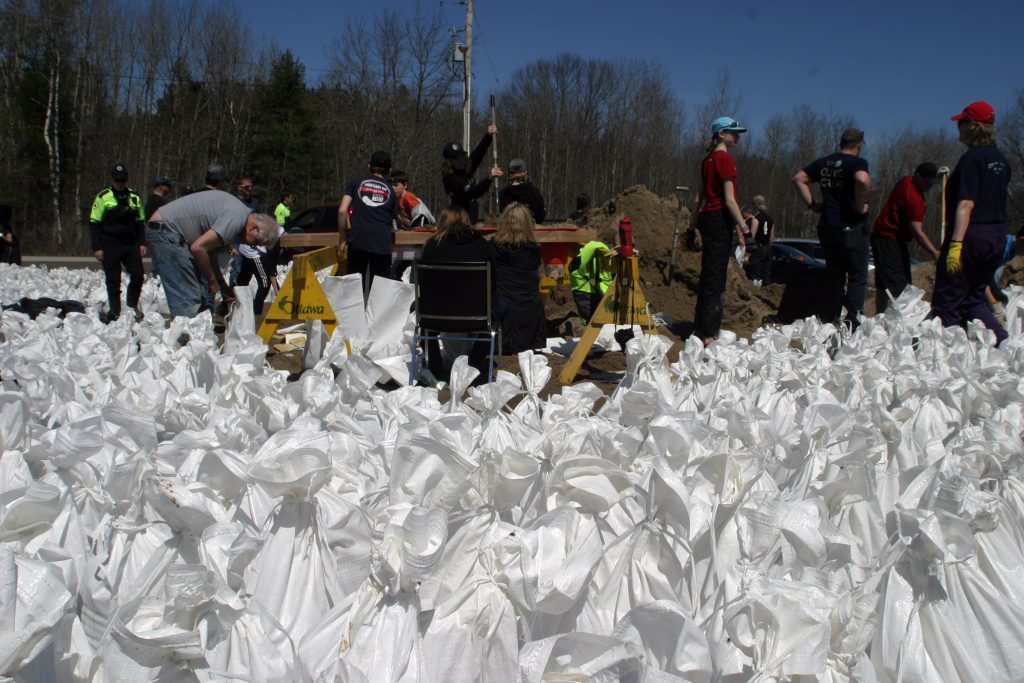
[{"x": 184, "y": 236}]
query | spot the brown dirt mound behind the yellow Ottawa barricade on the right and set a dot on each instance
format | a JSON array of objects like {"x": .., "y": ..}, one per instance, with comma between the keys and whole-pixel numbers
[{"x": 654, "y": 222}]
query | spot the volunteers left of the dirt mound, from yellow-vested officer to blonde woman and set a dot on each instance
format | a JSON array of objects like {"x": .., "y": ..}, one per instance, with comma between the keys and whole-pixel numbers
[{"x": 185, "y": 237}]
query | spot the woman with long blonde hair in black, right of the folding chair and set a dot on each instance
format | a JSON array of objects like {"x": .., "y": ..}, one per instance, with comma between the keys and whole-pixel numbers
[{"x": 519, "y": 278}]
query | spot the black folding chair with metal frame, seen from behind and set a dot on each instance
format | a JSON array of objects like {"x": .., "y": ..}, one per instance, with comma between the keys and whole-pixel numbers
[{"x": 453, "y": 303}]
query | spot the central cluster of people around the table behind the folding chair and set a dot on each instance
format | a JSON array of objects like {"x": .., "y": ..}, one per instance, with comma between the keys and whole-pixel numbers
[{"x": 378, "y": 200}]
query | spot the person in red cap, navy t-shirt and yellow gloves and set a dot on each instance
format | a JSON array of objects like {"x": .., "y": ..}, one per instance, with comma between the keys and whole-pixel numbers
[{"x": 976, "y": 207}]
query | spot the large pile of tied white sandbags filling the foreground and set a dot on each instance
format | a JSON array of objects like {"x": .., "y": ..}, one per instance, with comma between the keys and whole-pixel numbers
[{"x": 804, "y": 506}]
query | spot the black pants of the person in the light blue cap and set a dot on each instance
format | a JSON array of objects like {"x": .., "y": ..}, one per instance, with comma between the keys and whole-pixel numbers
[{"x": 716, "y": 241}]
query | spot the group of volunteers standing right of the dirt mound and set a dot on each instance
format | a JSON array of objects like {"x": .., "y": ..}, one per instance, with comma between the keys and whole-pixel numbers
[{"x": 973, "y": 249}]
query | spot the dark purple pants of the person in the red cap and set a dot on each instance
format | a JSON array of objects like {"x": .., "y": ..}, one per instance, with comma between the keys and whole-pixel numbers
[{"x": 961, "y": 298}]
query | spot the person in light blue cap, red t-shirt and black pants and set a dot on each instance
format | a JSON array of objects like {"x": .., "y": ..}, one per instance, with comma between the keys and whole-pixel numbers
[{"x": 718, "y": 220}]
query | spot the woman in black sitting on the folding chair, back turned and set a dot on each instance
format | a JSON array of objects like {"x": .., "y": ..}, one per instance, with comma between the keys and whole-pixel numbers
[{"x": 457, "y": 242}]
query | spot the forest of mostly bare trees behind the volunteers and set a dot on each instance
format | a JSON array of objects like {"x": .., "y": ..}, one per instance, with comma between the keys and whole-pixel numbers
[{"x": 168, "y": 89}]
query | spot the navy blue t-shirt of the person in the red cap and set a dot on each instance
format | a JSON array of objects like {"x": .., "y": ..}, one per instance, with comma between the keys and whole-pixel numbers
[{"x": 983, "y": 175}]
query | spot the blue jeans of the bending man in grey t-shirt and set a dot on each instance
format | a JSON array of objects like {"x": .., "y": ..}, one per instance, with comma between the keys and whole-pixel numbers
[{"x": 184, "y": 286}]
